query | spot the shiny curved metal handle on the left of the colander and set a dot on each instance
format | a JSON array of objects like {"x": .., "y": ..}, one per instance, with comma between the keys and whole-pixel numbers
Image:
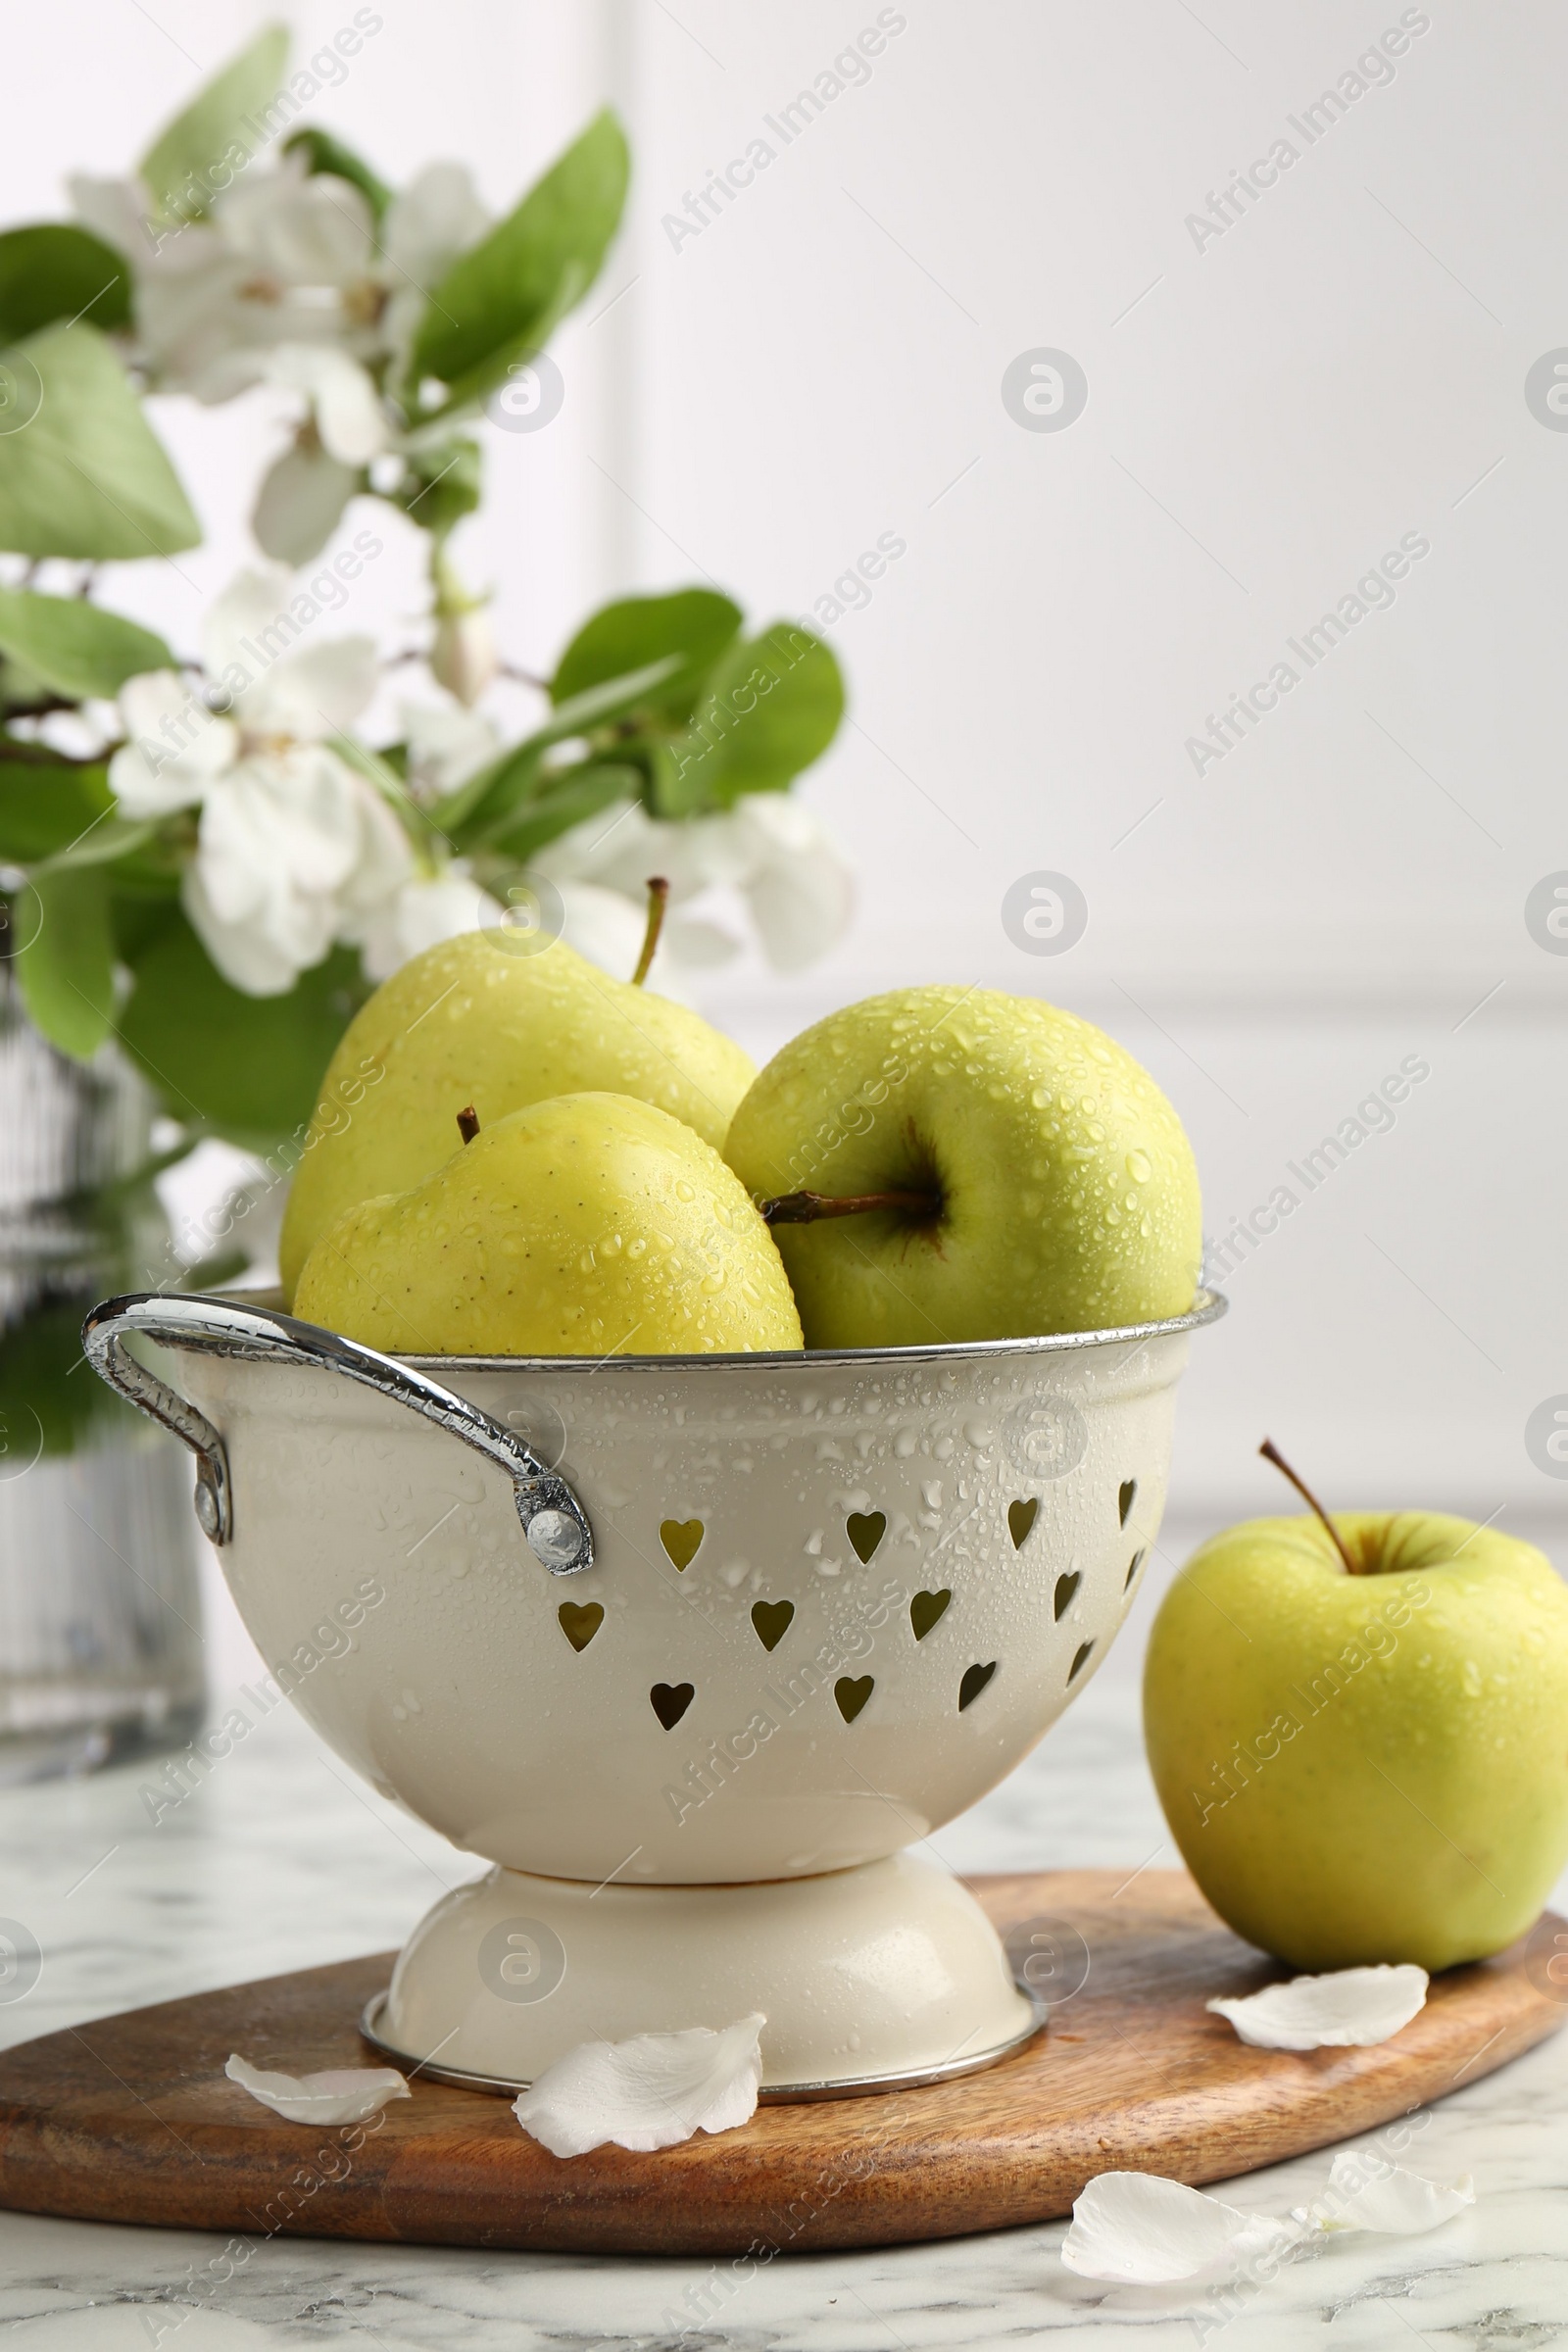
[{"x": 554, "y": 1521}]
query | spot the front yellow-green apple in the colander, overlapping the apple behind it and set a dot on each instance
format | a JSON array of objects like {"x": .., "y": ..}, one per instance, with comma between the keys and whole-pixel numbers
[{"x": 584, "y": 1227}]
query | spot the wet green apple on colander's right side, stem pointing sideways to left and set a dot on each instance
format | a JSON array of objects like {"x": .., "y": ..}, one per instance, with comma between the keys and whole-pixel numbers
[{"x": 963, "y": 1165}]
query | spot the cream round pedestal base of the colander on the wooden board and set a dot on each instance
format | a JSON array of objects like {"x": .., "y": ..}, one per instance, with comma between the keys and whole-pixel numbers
[{"x": 871, "y": 1979}]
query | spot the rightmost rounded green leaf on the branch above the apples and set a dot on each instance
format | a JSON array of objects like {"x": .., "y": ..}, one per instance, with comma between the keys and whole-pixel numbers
[{"x": 772, "y": 709}]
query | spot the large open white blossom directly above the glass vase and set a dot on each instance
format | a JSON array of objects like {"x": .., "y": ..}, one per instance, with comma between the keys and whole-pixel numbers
[{"x": 295, "y": 848}]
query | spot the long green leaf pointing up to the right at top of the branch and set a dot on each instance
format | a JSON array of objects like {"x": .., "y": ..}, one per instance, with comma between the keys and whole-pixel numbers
[{"x": 502, "y": 300}]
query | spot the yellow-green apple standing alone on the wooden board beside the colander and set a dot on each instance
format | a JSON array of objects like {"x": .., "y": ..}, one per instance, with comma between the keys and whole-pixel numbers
[{"x": 1360, "y": 1735}]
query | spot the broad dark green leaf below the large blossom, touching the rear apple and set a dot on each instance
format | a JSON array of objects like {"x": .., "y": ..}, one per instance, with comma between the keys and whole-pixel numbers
[{"x": 243, "y": 1067}]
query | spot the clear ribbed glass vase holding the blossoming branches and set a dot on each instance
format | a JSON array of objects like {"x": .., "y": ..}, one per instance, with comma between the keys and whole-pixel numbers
[{"x": 100, "y": 1565}]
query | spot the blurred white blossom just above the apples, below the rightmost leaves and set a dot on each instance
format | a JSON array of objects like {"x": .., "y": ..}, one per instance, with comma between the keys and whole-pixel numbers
[{"x": 770, "y": 848}]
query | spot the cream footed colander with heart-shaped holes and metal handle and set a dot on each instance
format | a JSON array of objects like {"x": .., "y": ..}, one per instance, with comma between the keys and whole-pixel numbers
[{"x": 770, "y": 1622}]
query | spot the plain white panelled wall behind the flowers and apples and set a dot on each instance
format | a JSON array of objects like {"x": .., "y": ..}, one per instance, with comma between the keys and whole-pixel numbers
[{"x": 1266, "y": 420}]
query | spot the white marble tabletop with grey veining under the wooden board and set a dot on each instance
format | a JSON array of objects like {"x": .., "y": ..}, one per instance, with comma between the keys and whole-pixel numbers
[{"x": 283, "y": 1862}]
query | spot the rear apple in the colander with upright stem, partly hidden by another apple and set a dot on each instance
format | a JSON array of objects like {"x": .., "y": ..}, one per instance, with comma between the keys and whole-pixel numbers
[{"x": 500, "y": 1022}]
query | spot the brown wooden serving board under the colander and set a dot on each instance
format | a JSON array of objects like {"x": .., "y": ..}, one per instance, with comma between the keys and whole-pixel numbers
[{"x": 133, "y": 2118}]
